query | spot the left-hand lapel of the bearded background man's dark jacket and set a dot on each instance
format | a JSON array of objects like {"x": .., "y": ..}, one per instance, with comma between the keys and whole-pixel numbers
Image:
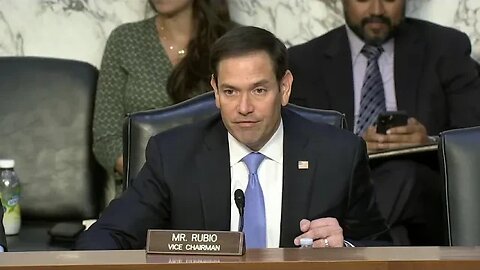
[{"x": 339, "y": 76}]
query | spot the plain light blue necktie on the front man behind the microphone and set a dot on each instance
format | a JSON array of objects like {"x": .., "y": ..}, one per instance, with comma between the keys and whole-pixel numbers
[{"x": 255, "y": 228}]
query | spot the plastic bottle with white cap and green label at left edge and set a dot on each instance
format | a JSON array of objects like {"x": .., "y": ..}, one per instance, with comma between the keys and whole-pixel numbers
[{"x": 10, "y": 197}]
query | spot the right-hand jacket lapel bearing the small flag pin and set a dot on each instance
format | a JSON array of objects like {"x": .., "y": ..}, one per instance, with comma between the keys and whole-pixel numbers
[{"x": 296, "y": 183}]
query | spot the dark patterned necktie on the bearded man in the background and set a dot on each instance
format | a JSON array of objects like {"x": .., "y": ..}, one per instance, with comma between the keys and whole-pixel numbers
[{"x": 372, "y": 102}]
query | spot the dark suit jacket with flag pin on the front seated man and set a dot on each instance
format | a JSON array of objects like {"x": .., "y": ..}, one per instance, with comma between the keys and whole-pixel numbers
[{"x": 185, "y": 184}]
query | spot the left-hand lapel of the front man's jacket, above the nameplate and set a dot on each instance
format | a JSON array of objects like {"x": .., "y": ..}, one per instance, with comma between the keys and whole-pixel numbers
[{"x": 214, "y": 178}]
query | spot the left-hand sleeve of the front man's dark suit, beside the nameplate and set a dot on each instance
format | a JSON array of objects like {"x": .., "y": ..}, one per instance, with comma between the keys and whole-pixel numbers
[{"x": 145, "y": 205}]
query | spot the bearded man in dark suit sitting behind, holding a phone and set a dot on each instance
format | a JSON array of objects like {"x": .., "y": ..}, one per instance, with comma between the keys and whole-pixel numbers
[{"x": 426, "y": 70}]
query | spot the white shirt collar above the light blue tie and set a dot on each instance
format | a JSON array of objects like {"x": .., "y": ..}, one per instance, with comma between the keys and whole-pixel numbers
[{"x": 273, "y": 149}]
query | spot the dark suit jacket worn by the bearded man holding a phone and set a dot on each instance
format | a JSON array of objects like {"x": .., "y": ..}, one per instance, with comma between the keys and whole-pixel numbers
[{"x": 436, "y": 80}]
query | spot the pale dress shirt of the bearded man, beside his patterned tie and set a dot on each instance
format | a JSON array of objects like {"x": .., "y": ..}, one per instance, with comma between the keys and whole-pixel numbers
[{"x": 359, "y": 65}]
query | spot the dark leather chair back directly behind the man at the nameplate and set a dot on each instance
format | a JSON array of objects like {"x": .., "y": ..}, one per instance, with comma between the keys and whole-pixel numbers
[{"x": 140, "y": 126}]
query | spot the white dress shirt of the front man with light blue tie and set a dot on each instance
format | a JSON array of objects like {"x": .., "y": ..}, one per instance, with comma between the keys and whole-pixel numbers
[{"x": 270, "y": 175}]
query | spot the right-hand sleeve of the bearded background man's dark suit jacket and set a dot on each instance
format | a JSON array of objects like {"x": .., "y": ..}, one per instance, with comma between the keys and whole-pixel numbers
[{"x": 461, "y": 82}]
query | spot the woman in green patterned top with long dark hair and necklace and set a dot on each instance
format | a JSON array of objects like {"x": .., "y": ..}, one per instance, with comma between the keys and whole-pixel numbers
[{"x": 152, "y": 64}]
